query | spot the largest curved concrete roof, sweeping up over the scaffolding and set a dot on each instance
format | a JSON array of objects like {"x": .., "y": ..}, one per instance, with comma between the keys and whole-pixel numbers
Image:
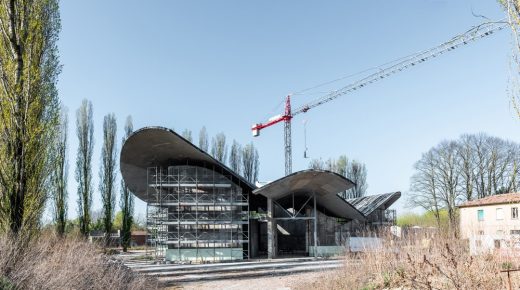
[{"x": 159, "y": 146}]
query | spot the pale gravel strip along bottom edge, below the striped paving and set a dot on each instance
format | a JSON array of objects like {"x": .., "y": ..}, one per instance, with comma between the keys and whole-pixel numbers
[{"x": 264, "y": 283}]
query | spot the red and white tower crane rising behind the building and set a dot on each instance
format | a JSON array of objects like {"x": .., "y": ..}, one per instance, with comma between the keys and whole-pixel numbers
[{"x": 476, "y": 32}]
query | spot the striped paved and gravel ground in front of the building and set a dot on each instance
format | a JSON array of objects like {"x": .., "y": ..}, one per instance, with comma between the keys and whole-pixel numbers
[{"x": 282, "y": 273}]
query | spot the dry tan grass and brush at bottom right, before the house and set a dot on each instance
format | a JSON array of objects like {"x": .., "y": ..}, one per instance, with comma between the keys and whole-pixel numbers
[{"x": 420, "y": 264}]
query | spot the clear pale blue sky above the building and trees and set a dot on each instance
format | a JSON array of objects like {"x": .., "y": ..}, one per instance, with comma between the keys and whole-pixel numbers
[{"x": 228, "y": 64}]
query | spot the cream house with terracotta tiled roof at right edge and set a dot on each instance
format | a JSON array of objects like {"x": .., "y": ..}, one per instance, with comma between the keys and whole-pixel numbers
[{"x": 491, "y": 223}]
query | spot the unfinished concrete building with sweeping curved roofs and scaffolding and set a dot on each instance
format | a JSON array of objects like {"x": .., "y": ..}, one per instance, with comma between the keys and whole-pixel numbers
[{"x": 198, "y": 209}]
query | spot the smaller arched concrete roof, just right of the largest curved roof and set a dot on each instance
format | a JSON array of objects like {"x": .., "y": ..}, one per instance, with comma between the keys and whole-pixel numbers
[{"x": 325, "y": 184}]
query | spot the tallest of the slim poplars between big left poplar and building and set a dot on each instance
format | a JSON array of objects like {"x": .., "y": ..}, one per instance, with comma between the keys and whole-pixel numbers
[{"x": 85, "y": 132}]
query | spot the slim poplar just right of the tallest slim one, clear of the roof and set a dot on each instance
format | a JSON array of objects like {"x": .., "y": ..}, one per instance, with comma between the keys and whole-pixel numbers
[{"x": 108, "y": 173}]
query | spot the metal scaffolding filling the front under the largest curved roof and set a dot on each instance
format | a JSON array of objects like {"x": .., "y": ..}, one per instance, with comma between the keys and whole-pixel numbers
[{"x": 196, "y": 214}]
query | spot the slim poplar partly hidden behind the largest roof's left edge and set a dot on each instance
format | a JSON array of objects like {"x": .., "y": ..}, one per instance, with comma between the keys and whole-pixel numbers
[{"x": 127, "y": 198}]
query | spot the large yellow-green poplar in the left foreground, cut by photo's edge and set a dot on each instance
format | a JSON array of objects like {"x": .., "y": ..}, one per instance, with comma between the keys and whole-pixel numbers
[{"x": 29, "y": 108}]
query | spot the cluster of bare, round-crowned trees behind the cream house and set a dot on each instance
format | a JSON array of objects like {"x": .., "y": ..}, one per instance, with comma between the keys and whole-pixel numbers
[{"x": 470, "y": 167}]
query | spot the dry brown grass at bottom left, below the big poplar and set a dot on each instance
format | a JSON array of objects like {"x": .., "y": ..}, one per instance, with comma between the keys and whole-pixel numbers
[{"x": 70, "y": 263}]
